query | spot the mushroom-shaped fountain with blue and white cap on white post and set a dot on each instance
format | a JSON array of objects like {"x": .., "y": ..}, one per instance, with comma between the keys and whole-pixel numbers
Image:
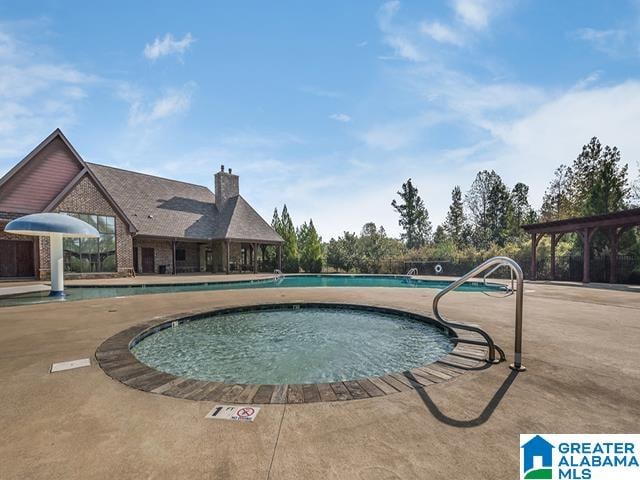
[{"x": 56, "y": 226}]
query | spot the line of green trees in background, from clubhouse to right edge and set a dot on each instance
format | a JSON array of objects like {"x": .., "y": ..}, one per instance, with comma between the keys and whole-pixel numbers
[{"x": 485, "y": 220}]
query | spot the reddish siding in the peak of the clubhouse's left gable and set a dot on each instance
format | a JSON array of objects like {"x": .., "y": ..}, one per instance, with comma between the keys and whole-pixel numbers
[{"x": 36, "y": 184}]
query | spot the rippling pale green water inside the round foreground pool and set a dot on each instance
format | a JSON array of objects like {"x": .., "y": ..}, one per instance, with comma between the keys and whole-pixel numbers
[{"x": 288, "y": 346}]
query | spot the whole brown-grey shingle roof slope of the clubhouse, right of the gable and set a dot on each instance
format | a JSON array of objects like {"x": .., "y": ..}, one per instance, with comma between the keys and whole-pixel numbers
[{"x": 162, "y": 207}]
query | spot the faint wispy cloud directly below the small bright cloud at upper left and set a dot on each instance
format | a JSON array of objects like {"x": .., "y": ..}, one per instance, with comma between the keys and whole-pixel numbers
[{"x": 173, "y": 102}]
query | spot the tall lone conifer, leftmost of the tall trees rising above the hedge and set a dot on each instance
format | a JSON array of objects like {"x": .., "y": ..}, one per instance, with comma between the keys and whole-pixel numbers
[{"x": 414, "y": 217}]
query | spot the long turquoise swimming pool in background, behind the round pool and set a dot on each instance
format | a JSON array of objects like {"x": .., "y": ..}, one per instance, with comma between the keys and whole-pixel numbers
[{"x": 285, "y": 281}]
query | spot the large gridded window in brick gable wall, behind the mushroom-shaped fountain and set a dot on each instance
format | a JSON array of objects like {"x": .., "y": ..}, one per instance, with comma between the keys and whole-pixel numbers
[{"x": 87, "y": 255}]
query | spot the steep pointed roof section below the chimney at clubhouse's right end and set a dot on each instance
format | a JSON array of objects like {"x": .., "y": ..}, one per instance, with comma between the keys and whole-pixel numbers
[{"x": 239, "y": 221}]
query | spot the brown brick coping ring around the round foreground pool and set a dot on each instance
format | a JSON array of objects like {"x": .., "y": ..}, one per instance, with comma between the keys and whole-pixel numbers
[{"x": 116, "y": 359}]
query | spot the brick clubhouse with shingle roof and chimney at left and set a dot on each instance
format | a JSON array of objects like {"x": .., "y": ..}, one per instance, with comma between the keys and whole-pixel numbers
[{"x": 147, "y": 224}]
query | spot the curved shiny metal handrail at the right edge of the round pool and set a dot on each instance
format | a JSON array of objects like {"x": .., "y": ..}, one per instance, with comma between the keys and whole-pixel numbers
[{"x": 515, "y": 268}]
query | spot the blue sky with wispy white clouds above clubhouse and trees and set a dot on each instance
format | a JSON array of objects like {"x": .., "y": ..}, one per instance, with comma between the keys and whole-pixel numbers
[{"x": 326, "y": 106}]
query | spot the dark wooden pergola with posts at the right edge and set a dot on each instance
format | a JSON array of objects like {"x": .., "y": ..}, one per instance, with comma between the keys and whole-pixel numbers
[{"x": 614, "y": 224}]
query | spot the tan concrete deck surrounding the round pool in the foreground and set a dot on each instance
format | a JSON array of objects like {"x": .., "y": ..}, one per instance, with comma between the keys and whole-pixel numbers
[{"x": 580, "y": 348}]
